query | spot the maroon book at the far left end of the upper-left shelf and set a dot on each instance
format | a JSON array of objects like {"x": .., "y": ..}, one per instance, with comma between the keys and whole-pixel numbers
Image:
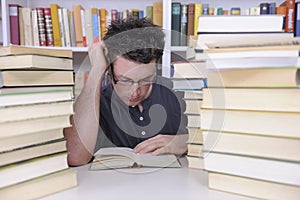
[{"x": 14, "y": 24}]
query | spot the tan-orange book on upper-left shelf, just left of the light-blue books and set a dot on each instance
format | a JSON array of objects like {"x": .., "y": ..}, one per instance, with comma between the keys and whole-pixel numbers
[{"x": 78, "y": 25}]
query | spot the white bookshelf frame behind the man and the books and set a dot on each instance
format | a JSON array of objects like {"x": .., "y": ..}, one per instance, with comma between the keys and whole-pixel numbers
[{"x": 125, "y": 4}]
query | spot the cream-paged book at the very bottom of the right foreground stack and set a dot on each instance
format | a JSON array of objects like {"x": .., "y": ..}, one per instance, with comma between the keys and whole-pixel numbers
[{"x": 250, "y": 187}]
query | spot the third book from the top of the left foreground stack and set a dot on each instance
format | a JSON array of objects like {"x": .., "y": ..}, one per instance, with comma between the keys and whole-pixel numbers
[{"x": 12, "y": 78}]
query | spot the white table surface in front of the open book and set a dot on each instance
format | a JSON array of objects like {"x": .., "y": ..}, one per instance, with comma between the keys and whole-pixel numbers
[{"x": 143, "y": 184}]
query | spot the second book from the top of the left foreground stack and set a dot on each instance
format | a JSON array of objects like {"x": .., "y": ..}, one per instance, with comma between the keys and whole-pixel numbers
[{"x": 35, "y": 61}]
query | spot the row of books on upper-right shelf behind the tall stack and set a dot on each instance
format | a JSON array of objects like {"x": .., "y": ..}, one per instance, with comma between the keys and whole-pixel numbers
[{"x": 185, "y": 18}]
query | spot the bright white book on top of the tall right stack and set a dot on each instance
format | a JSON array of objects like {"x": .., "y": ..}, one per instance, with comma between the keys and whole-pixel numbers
[{"x": 240, "y": 23}]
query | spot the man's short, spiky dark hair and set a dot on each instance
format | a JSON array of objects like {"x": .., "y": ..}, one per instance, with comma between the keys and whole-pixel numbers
[{"x": 138, "y": 40}]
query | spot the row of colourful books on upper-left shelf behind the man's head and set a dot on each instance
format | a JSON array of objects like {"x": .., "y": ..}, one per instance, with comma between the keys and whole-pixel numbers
[{"x": 61, "y": 27}]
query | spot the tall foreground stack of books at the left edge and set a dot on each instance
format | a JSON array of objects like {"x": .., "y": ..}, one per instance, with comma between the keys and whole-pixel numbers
[{"x": 36, "y": 98}]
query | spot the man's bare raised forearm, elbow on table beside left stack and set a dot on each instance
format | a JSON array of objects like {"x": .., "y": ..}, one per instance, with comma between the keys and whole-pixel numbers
[{"x": 82, "y": 136}]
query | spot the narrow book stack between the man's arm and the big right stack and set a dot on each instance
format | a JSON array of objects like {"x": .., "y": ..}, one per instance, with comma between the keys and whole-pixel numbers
[{"x": 190, "y": 78}]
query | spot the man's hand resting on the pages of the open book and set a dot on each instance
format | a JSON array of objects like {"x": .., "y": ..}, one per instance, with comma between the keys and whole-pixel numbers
[{"x": 162, "y": 144}]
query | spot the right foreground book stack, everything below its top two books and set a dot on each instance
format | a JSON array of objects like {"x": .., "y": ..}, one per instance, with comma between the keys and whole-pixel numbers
[{"x": 249, "y": 119}]
